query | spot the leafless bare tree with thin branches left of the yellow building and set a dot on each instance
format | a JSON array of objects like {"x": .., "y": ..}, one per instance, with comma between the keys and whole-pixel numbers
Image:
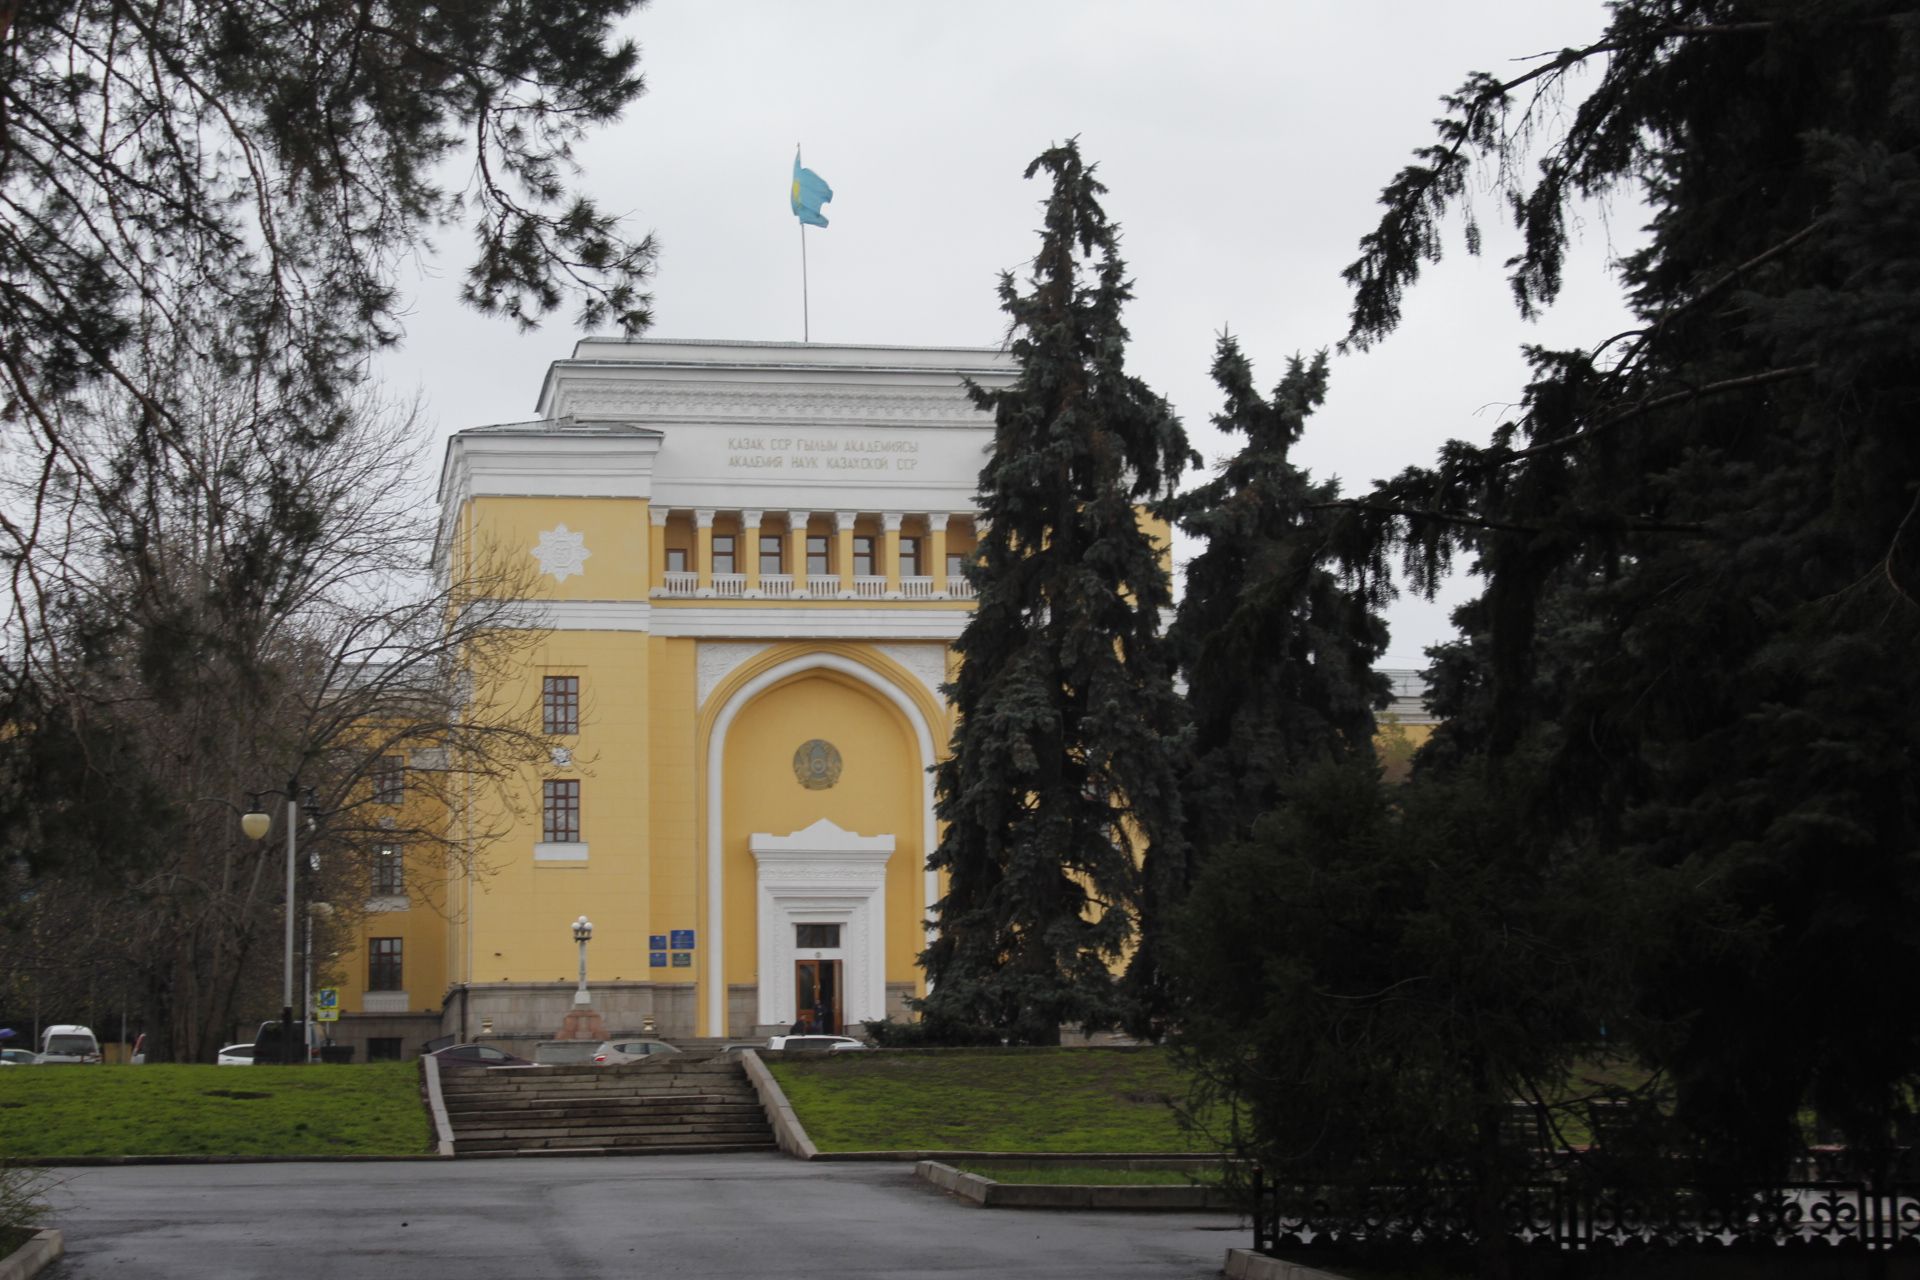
[{"x": 220, "y": 623}]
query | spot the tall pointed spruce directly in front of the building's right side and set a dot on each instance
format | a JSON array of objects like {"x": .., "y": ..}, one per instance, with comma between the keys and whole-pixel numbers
[{"x": 1063, "y": 776}]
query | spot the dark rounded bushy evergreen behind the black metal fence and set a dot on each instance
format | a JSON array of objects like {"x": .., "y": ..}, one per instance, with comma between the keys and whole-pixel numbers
[{"x": 1393, "y": 976}]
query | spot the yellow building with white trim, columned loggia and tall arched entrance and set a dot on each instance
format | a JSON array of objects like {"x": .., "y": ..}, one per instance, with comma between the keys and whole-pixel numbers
[{"x": 748, "y": 563}]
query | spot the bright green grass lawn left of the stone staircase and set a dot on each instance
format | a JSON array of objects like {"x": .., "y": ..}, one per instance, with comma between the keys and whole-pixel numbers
[{"x": 204, "y": 1110}]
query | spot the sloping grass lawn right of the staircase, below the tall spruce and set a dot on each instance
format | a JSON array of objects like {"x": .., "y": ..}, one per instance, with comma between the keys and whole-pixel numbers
[{"x": 990, "y": 1101}]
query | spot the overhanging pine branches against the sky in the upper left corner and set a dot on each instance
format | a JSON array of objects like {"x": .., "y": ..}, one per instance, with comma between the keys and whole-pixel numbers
[{"x": 241, "y": 181}]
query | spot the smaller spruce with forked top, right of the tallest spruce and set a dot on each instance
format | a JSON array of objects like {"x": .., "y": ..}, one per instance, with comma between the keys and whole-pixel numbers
[{"x": 1274, "y": 650}]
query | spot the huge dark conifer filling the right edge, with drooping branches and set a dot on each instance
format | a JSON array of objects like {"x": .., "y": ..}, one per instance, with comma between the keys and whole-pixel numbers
[{"x": 1700, "y": 536}]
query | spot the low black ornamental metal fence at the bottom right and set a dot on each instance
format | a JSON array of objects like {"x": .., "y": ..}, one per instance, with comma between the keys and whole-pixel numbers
[{"x": 1850, "y": 1216}]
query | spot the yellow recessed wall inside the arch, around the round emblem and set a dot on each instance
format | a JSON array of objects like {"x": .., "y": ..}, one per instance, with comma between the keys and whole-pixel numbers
[{"x": 878, "y": 794}]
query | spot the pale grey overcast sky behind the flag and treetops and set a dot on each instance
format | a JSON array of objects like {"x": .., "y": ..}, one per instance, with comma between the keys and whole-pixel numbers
[{"x": 1243, "y": 145}]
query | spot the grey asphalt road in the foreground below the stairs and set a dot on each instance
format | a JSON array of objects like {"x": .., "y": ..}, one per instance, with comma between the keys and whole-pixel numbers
[{"x": 585, "y": 1218}]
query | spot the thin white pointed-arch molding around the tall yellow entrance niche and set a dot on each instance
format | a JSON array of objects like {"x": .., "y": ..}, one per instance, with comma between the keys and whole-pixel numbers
[{"x": 715, "y": 888}]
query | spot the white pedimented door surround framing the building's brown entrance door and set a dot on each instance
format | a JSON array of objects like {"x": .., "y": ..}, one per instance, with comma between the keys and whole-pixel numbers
[{"x": 832, "y": 878}]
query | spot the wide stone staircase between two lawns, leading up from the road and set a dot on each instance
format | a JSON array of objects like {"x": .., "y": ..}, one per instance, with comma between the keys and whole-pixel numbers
[{"x": 677, "y": 1106}]
